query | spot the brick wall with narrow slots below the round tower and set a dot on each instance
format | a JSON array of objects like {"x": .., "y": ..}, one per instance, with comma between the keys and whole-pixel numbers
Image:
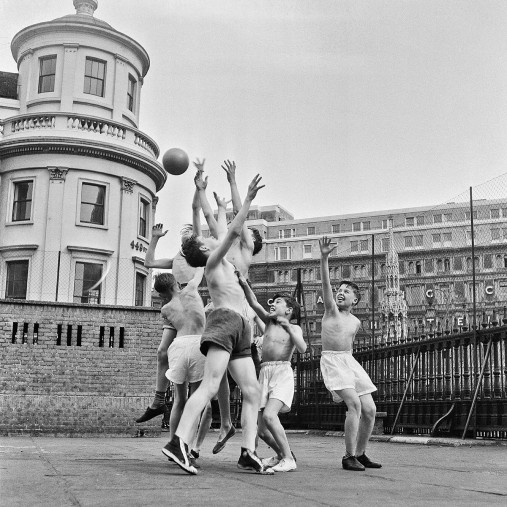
[{"x": 60, "y": 386}]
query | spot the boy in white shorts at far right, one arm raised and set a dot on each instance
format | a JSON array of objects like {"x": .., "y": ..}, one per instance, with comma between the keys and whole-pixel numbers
[{"x": 343, "y": 376}]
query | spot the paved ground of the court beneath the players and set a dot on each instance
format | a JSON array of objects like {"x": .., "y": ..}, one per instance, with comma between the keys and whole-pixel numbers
[{"x": 124, "y": 472}]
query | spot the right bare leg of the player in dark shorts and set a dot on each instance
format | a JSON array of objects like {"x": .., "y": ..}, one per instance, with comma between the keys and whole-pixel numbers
[{"x": 243, "y": 372}]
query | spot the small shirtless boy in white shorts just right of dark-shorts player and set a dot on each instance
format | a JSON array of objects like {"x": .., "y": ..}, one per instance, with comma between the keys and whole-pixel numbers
[{"x": 276, "y": 376}]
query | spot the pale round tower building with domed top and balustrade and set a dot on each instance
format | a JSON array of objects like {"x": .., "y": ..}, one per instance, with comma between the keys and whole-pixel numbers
[{"x": 78, "y": 179}]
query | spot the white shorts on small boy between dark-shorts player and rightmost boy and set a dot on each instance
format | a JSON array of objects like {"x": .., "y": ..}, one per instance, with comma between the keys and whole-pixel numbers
[{"x": 277, "y": 381}]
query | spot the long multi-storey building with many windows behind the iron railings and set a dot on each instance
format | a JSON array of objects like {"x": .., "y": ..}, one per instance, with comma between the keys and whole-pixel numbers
[{"x": 433, "y": 249}]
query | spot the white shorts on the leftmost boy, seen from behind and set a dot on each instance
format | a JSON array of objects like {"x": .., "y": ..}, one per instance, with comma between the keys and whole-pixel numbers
[{"x": 186, "y": 362}]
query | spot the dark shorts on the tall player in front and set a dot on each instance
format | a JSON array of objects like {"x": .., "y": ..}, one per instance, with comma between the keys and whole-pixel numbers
[{"x": 228, "y": 330}]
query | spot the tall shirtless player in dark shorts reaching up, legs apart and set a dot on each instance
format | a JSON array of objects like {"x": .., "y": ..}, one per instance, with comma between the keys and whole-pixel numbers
[{"x": 225, "y": 343}]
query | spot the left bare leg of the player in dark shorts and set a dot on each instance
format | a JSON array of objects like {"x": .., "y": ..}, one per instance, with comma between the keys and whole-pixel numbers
[{"x": 215, "y": 366}]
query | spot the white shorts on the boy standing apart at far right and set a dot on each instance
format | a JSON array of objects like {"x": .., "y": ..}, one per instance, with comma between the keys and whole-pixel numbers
[{"x": 341, "y": 371}]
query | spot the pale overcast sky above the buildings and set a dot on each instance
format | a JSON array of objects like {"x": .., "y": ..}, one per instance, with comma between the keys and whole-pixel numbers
[{"x": 342, "y": 106}]
